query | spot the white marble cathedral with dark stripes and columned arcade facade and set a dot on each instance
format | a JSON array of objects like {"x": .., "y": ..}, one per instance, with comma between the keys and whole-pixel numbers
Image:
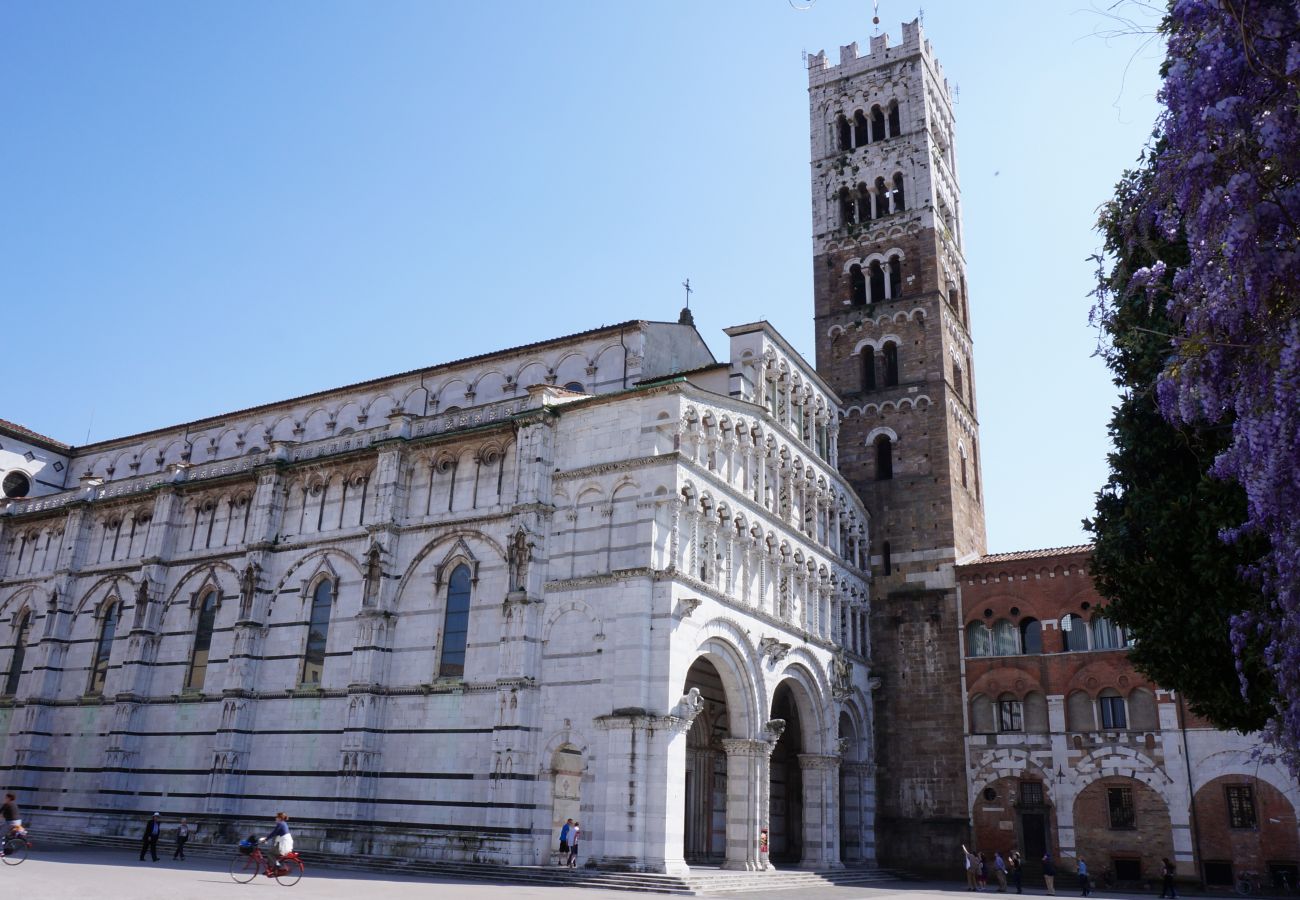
[{"x": 603, "y": 577}]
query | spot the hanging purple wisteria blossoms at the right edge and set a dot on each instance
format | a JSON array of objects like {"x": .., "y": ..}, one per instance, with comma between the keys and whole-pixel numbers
[{"x": 1228, "y": 179}]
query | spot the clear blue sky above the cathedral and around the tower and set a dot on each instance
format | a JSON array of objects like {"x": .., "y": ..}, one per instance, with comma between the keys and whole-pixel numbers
[{"x": 209, "y": 206}]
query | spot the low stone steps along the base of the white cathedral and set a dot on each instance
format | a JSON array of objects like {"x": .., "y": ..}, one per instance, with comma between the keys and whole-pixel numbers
[{"x": 705, "y": 881}]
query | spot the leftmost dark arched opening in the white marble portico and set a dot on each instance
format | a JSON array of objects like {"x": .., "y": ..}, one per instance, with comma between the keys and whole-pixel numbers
[{"x": 705, "y": 829}]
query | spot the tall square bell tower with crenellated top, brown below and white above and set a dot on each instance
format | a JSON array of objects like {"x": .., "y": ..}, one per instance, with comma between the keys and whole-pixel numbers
[{"x": 894, "y": 340}]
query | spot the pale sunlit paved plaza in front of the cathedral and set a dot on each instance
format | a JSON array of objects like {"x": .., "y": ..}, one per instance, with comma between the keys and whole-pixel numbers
[{"x": 57, "y": 872}]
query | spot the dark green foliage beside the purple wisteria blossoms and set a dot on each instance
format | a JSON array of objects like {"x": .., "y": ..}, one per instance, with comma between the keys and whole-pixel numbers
[{"x": 1159, "y": 559}]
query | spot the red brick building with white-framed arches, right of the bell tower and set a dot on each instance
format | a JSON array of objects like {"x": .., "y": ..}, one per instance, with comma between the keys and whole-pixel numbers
[{"x": 1071, "y": 750}]
